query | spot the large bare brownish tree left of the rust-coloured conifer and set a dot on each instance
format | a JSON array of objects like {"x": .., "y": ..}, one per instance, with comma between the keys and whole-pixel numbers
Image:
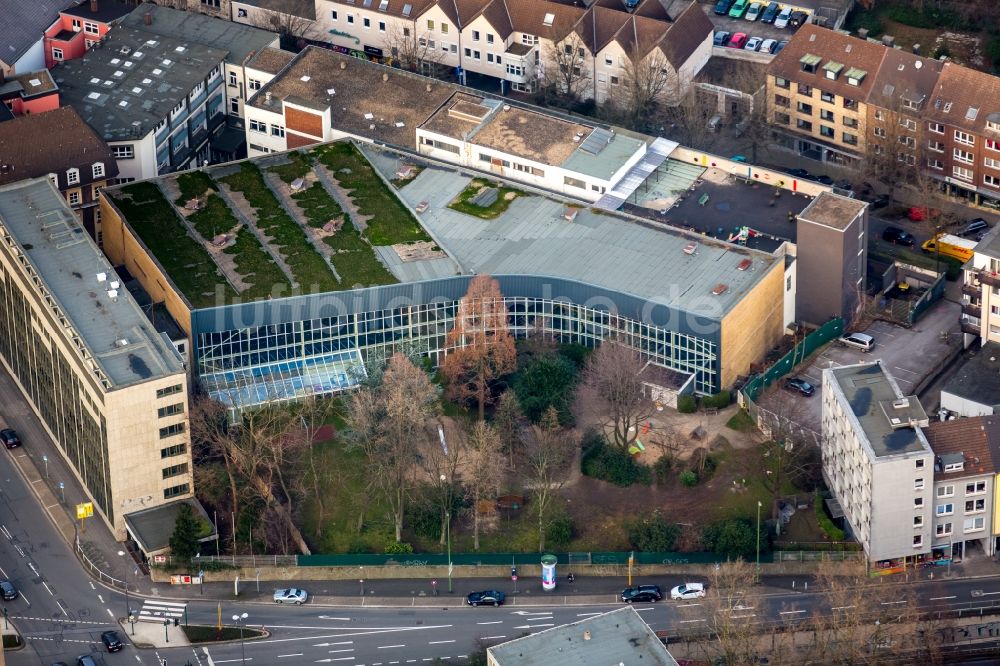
[{"x": 386, "y": 422}]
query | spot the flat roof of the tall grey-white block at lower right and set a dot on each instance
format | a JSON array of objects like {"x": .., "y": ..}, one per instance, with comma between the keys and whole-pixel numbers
[{"x": 872, "y": 395}]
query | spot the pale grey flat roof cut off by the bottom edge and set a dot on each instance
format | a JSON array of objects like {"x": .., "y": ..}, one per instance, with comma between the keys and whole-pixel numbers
[{"x": 618, "y": 637}]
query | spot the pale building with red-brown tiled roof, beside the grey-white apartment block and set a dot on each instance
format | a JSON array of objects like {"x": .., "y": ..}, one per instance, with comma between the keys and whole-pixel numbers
[{"x": 964, "y": 478}]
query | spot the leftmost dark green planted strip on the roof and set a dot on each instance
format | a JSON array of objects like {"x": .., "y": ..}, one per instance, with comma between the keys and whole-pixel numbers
[{"x": 188, "y": 263}]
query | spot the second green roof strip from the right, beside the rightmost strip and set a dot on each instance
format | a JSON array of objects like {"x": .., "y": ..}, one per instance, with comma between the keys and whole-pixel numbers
[{"x": 355, "y": 260}]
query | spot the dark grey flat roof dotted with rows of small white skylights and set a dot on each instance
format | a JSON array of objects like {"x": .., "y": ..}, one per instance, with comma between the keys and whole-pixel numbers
[{"x": 133, "y": 79}]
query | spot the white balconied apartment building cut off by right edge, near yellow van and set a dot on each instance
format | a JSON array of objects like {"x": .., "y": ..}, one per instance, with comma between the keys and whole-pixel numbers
[{"x": 980, "y": 316}]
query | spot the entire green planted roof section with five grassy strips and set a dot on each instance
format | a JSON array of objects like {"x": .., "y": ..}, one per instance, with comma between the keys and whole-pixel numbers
[{"x": 283, "y": 249}]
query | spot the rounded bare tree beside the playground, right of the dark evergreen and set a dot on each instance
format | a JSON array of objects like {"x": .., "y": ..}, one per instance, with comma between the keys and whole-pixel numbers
[{"x": 612, "y": 374}]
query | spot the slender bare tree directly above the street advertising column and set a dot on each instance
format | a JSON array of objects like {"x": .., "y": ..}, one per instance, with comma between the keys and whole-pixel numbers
[{"x": 548, "y": 454}]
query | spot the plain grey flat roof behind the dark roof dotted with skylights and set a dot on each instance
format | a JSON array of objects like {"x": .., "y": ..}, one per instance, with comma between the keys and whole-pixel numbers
[{"x": 191, "y": 27}]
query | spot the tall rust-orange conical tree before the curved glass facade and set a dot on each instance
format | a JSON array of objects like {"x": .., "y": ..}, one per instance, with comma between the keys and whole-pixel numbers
[{"x": 481, "y": 346}]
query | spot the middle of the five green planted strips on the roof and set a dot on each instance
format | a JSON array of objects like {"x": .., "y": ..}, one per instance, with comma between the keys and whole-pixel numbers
[{"x": 308, "y": 266}]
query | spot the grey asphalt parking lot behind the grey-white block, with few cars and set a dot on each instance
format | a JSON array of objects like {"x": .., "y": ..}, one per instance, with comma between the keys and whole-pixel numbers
[{"x": 910, "y": 355}]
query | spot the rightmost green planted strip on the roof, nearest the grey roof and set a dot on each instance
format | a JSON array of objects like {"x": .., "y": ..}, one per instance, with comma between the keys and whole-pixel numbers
[{"x": 391, "y": 222}]
